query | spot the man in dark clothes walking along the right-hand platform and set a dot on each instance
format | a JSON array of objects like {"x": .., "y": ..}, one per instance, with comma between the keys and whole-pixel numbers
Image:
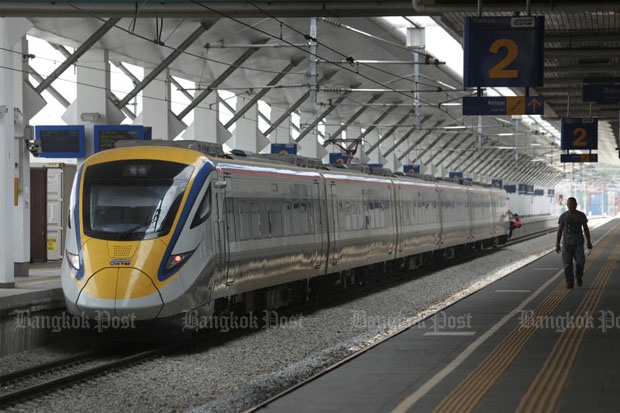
[{"x": 570, "y": 224}]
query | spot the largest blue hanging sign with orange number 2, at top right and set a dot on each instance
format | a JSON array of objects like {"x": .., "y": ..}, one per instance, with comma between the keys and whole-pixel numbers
[{"x": 503, "y": 51}]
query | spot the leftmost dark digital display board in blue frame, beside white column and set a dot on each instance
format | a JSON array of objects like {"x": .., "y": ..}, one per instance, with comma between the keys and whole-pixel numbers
[{"x": 61, "y": 141}]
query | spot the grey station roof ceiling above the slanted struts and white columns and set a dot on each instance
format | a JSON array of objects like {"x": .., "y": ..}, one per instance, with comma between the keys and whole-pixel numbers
[{"x": 365, "y": 72}]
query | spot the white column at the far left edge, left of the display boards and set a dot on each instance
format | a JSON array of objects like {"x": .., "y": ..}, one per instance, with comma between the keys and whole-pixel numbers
[{"x": 11, "y": 33}]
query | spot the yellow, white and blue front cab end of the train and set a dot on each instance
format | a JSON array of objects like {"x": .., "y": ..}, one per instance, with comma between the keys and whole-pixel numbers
[{"x": 138, "y": 235}]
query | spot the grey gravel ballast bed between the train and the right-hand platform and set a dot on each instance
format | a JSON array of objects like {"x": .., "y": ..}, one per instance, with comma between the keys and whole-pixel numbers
[{"x": 256, "y": 366}]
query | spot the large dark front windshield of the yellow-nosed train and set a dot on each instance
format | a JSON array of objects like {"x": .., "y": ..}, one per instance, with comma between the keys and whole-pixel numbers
[{"x": 133, "y": 200}]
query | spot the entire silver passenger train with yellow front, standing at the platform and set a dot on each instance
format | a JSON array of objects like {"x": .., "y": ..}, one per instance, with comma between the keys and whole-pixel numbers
[{"x": 158, "y": 230}]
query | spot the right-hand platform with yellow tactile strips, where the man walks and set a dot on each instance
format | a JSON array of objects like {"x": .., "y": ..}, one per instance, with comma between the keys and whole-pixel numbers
[{"x": 524, "y": 343}]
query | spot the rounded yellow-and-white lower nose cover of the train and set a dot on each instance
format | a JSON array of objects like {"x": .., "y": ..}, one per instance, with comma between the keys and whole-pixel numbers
[{"x": 128, "y": 290}]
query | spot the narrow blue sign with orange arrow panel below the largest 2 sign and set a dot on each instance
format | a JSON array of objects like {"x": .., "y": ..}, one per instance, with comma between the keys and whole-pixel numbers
[{"x": 501, "y": 105}]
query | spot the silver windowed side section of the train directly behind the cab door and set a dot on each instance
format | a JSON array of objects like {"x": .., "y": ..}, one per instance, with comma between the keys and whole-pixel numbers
[{"x": 275, "y": 228}]
